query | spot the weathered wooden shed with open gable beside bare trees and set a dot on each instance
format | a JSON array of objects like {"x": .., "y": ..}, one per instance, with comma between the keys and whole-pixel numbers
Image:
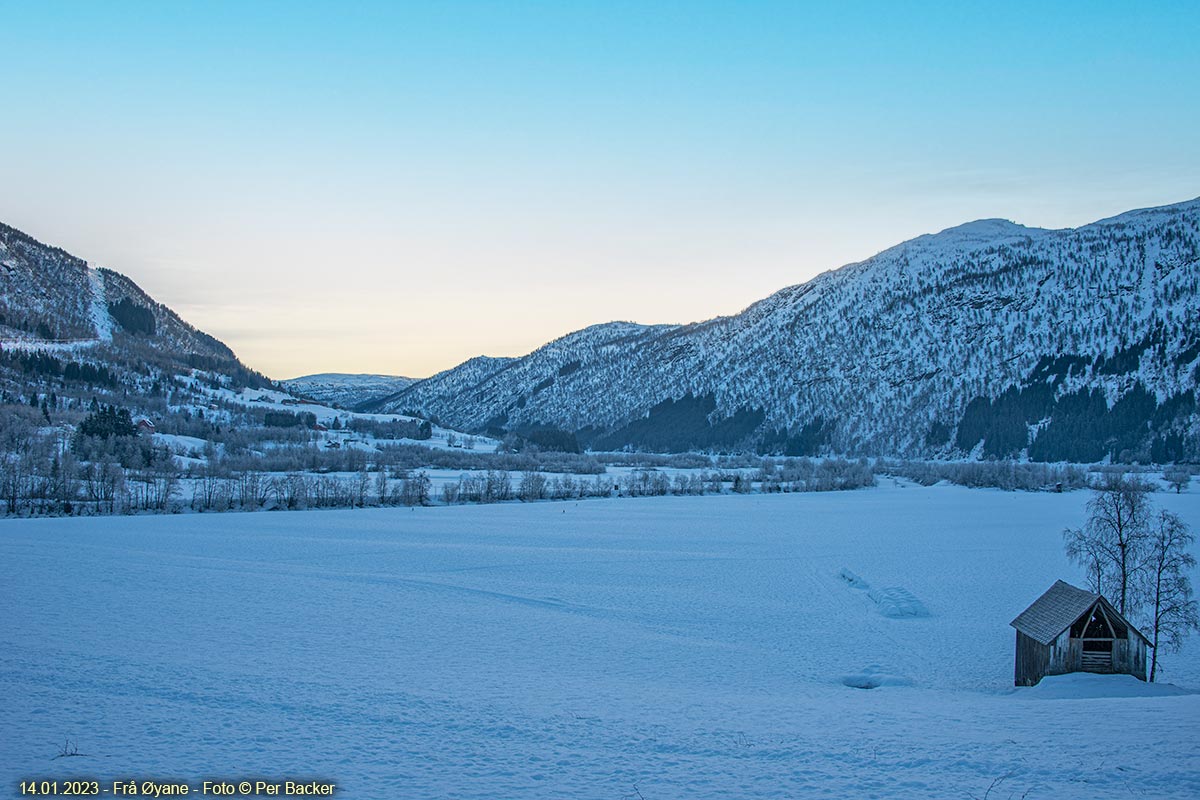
[{"x": 1073, "y": 630}]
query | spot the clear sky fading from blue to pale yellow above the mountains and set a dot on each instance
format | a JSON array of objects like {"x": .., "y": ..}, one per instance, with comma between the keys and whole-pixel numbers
[{"x": 397, "y": 188}]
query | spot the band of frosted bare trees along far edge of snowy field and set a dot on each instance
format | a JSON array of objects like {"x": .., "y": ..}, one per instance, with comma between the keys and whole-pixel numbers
[{"x": 152, "y": 478}]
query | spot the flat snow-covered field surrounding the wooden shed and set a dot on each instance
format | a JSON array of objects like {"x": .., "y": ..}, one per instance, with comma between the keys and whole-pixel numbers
[{"x": 631, "y": 648}]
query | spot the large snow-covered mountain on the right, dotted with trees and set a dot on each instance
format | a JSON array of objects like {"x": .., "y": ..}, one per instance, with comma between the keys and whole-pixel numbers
[{"x": 988, "y": 339}]
